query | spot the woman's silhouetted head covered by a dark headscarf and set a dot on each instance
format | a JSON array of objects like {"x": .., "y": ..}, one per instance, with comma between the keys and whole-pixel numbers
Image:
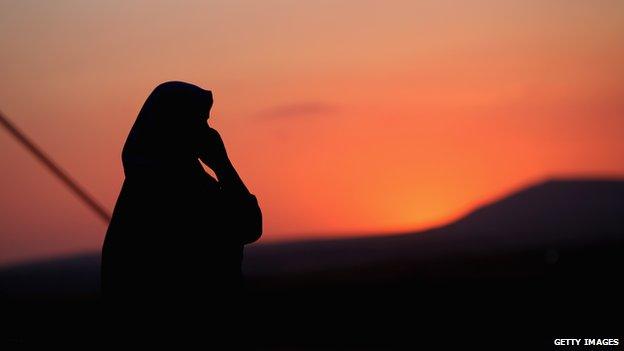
[{"x": 167, "y": 129}]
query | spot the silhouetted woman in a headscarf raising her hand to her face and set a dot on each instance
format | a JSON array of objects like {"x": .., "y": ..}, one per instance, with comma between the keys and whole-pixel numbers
[{"x": 176, "y": 232}]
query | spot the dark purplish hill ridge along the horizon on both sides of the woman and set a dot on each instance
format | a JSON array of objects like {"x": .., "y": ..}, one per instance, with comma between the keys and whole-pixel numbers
[{"x": 576, "y": 224}]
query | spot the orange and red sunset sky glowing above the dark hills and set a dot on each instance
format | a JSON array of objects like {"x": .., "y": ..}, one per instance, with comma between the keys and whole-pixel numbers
[{"x": 344, "y": 117}]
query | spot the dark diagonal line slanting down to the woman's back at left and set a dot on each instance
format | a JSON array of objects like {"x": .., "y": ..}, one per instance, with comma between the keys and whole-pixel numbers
[{"x": 55, "y": 169}]
